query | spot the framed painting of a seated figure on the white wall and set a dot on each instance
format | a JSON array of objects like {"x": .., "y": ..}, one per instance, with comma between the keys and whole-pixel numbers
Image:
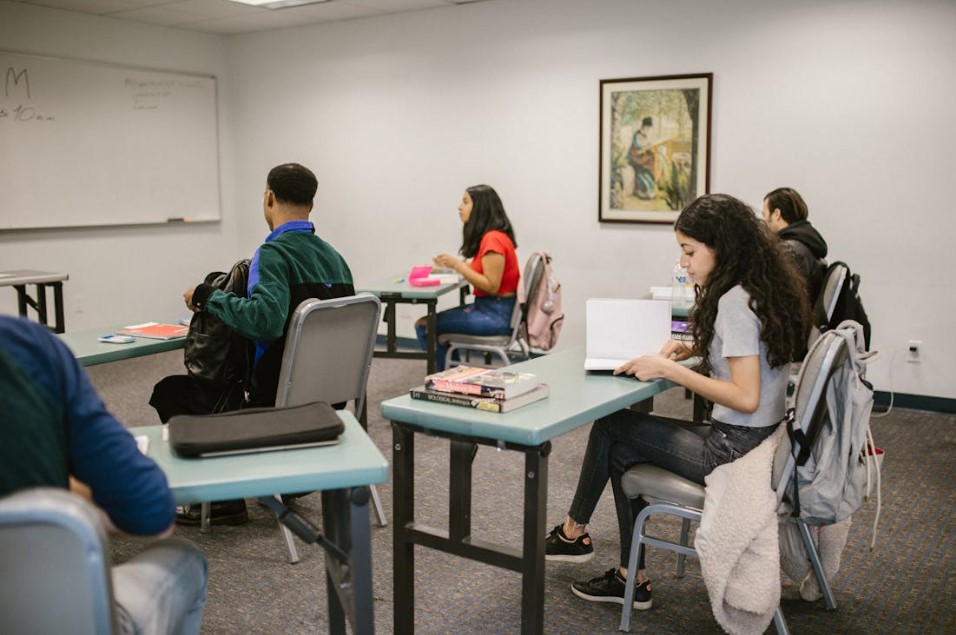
[{"x": 654, "y": 146}]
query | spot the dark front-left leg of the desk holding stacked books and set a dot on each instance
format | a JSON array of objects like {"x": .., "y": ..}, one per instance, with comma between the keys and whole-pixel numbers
[{"x": 403, "y": 510}]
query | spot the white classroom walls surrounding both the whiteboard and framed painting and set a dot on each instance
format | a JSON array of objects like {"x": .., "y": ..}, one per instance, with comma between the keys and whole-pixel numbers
[{"x": 849, "y": 101}]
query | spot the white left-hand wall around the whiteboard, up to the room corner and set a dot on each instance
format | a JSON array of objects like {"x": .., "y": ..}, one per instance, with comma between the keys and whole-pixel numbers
[{"x": 122, "y": 275}]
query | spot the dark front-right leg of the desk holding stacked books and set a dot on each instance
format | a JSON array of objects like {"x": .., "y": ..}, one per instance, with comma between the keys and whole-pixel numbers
[{"x": 536, "y": 507}]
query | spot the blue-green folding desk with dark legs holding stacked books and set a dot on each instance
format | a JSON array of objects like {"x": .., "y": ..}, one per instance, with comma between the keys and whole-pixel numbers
[{"x": 576, "y": 398}]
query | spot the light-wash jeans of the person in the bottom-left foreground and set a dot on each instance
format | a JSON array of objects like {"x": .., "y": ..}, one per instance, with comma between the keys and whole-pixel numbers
[{"x": 161, "y": 590}]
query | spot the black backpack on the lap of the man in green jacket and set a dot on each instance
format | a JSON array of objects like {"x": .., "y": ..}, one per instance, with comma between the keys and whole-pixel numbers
[{"x": 216, "y": 355}]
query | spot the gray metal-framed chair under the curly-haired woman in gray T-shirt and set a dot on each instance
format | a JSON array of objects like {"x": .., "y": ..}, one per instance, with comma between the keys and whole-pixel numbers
[{"x": 672, "y": 495}]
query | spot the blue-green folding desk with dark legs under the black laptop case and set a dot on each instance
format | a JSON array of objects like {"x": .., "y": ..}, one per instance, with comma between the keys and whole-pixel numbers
[{"x": 342, "y": 472}]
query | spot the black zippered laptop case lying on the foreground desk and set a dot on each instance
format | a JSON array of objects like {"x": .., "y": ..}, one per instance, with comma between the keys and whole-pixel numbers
[{"x": 254, "y": 430}]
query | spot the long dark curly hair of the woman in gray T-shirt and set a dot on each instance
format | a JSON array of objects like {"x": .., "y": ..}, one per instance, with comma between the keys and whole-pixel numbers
[{"x": 748, "y": 254}]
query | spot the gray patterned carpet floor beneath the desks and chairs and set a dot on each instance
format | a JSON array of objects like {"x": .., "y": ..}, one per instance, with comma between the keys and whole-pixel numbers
[{"x": 905, "y": 585}]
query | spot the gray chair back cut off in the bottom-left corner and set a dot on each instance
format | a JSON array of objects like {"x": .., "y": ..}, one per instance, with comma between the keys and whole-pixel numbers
[{"x": 55, "y": 563}]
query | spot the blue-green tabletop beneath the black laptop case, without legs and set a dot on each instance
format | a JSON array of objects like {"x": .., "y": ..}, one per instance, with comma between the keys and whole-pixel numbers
[{"x": 353, "y": 462}]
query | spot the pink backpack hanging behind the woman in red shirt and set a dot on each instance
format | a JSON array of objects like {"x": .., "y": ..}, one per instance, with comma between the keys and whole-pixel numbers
[{"x": 542, "y": 317}]
